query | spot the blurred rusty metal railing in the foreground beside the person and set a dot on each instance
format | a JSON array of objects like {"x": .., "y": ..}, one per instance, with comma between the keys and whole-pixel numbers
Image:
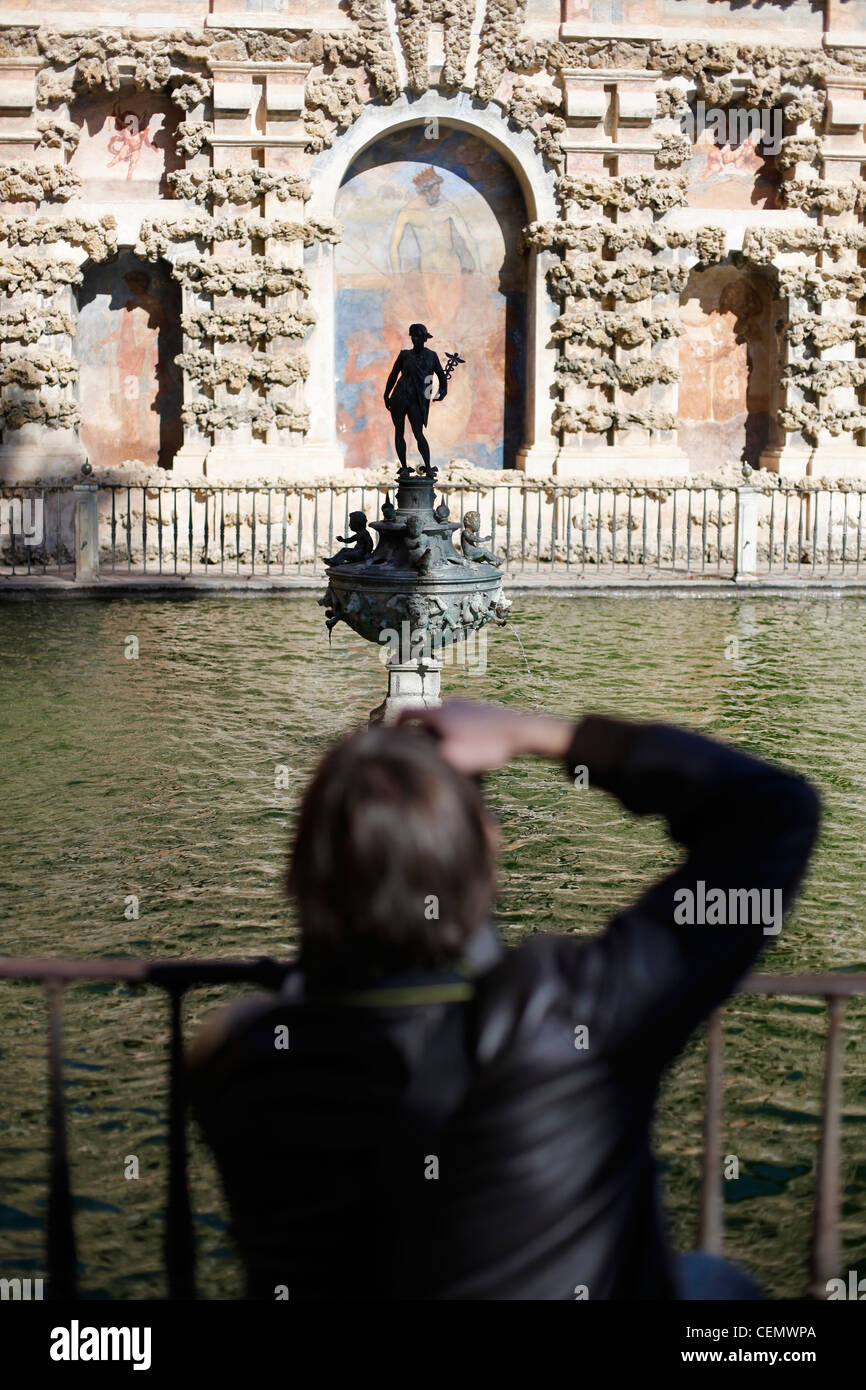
[{"x": 176, "y": 978}]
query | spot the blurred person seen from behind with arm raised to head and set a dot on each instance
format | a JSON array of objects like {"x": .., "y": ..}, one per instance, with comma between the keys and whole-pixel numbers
[{"x": 422, "y": 1114}]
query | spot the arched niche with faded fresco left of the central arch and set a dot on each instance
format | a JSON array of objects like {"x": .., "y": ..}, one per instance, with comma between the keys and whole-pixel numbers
[{"x": 127, "y": 337}]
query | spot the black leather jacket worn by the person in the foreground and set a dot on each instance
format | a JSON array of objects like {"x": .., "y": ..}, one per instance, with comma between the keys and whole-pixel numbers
[{"x": 452, "y": 1136}]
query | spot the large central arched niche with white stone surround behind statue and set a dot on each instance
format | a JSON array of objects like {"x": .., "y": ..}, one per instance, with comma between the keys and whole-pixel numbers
[{"x": 496, "y": 180}]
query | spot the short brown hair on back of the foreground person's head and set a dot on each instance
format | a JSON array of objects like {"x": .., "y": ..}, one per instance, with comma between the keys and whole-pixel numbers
[{"x": 394, "y": 864}]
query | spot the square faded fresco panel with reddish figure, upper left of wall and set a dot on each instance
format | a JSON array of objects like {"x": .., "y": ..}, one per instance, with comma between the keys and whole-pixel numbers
[{"x": 127, "y": 147}]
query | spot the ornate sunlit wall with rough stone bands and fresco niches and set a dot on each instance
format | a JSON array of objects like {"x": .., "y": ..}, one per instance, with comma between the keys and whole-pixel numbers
[{"x": 206, "y": 151}]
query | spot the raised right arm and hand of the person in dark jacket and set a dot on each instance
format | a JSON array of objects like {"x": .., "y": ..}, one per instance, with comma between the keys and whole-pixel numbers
[{"x": 749, "y": 829}]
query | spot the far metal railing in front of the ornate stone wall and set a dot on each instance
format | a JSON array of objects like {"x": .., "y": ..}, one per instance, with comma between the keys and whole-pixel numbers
[{"x": 579, "y": 530}]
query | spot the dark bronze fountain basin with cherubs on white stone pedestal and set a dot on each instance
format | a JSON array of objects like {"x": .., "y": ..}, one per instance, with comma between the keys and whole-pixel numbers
[{"x": 415, "y": 593}]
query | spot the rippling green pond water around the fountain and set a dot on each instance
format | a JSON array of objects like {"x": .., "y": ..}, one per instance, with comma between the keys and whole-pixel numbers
[{"x": 156, "y": 778}]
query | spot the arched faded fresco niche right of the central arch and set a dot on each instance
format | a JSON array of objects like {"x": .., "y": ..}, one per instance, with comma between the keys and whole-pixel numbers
[{"x": 729, "y": 365}]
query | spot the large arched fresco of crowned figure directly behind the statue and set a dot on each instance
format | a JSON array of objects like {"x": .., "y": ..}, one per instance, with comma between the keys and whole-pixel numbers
[{"x": 432, "y": 236}]
